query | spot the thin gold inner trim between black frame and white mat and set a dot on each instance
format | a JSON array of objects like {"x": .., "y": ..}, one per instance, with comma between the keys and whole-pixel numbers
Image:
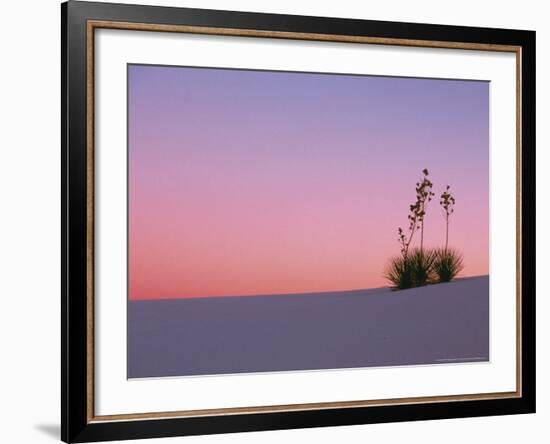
[{"x": 97, "y": 24}]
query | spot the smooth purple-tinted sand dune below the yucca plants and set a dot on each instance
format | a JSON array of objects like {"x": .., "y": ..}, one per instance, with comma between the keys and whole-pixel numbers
[{"x": 436, "y": 324}]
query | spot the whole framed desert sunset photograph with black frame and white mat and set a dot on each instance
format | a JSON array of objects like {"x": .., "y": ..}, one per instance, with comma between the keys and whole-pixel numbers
[{"x": 275, "y": 221}]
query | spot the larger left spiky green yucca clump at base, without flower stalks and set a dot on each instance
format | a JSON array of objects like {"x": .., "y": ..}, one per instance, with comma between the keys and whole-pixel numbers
[{"x": 413, "y": 270}]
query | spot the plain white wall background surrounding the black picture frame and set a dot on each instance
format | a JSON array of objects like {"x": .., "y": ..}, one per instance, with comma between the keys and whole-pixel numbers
[{"x": 30, "y": 218}]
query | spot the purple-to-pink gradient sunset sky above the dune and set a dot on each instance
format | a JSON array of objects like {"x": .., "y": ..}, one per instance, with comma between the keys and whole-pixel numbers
[{"x": 254, "y": 182}]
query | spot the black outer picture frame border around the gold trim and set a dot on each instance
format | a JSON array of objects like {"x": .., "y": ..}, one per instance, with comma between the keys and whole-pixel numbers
[{"x": 76, "y": 423}]
